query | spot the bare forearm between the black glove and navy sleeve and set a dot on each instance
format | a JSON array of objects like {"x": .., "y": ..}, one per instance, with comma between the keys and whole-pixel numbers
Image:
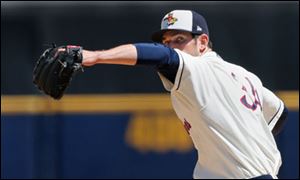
[{"x": 124, "y": 55}]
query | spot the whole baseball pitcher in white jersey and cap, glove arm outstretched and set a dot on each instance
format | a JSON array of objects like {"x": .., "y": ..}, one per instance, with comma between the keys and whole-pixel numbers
[{"x": 229, "y": 114}]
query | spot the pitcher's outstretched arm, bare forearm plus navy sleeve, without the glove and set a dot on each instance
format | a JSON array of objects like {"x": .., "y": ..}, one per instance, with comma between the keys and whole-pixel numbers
[{"x": 165, "y": 59}]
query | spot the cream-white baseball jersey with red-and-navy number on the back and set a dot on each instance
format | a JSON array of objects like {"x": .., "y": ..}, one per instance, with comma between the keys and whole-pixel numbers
[{"x": 229, "y": 116}]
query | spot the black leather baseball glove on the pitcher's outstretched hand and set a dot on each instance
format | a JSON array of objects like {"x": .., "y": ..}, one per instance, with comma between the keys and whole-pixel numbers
[{"x": 55, "y": 68}]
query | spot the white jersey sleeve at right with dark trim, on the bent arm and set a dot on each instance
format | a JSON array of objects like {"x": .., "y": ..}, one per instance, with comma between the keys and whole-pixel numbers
[{"x": 272, "y": 107}]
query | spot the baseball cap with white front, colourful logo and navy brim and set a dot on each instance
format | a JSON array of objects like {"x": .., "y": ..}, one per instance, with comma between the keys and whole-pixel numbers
[{"x": 183, "y": 20}]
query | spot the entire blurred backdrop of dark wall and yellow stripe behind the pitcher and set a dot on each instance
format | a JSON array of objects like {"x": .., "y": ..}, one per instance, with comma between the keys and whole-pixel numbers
[{"x": 117, "y": 121}]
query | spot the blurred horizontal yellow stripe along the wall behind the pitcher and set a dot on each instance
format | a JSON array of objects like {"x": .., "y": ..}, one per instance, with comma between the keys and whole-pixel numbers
[{"x": 34, "y": 104}]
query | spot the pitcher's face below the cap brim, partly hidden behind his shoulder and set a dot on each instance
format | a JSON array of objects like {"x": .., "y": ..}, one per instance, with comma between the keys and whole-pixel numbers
[{"x": 181, "y": 40}]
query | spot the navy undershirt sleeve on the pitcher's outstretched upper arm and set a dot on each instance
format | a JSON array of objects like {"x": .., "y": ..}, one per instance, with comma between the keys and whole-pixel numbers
[{"x": 165, "y": 59}]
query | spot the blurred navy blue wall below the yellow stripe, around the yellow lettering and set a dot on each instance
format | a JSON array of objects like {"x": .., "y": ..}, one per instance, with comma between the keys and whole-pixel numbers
[{"x": 95, "y": 146}]
